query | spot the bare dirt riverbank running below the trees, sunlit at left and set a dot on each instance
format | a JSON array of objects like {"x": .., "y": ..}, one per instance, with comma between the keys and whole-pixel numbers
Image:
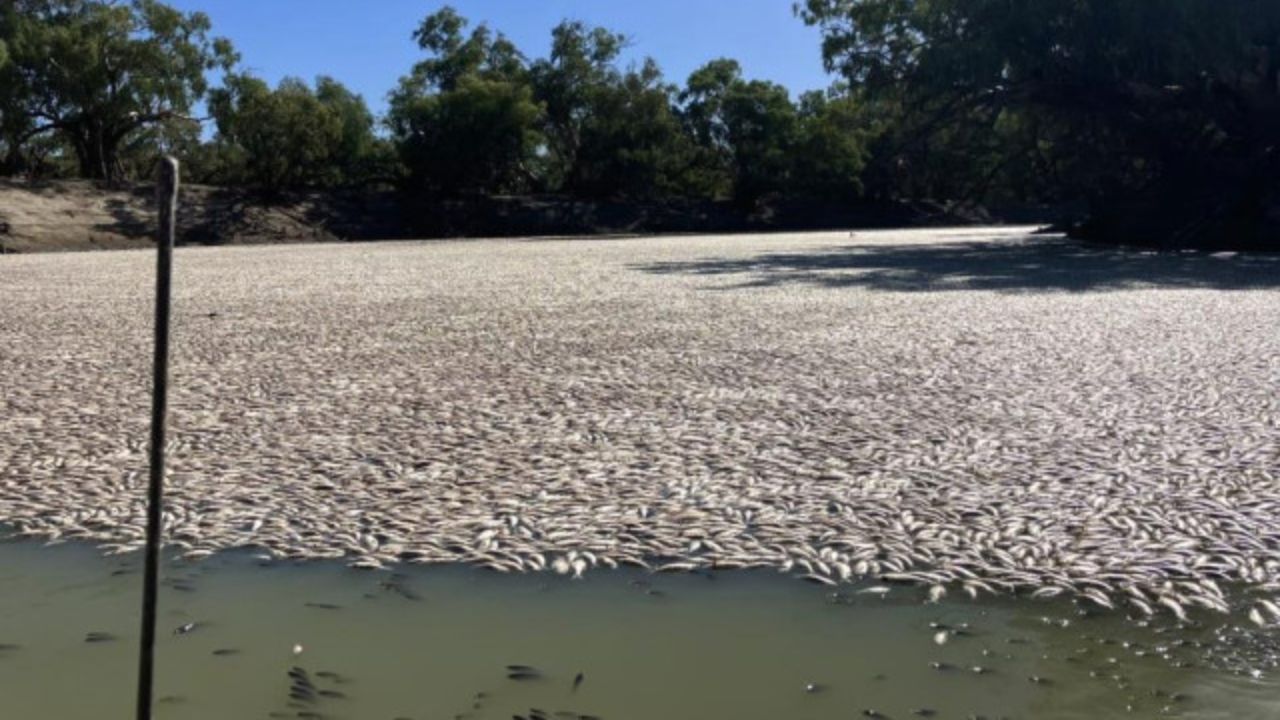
[{"x": 83, "y": 216}]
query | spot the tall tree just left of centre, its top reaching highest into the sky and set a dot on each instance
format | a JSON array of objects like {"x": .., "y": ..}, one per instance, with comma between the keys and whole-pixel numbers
[{"x": 465, "y": 119}]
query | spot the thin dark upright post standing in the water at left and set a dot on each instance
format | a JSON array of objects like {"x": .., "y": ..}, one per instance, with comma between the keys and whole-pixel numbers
[{"x": 167, "y": 197}]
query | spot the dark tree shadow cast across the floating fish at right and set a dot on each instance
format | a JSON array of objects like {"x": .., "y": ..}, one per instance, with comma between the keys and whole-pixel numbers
[{"x": 1028, "y": 265}]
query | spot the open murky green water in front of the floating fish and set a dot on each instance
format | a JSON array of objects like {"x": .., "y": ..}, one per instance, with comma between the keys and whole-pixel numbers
[{"x": 436, "y": 642}]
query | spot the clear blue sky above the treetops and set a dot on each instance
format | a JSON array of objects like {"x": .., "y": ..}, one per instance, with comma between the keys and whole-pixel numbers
[{"x": 368, "y": 45}]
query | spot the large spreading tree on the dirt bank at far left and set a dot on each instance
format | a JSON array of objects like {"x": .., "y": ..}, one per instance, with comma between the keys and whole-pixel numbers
[{"x": 98, "y": 72}]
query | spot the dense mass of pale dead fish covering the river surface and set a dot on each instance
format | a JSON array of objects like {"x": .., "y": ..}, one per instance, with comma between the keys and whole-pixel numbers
[{"x": 555, "y": 408}]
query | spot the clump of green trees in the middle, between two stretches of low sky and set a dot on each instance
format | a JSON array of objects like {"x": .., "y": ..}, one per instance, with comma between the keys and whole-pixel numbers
[{"x": 473, "y": 117}]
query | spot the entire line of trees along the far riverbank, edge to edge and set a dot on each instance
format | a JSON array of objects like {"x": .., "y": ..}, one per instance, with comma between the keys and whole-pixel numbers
[{"x": 1164, "y": 117}]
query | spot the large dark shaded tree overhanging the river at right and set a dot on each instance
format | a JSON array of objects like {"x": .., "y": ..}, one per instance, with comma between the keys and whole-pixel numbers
[{"x": 1164, "y": 116}]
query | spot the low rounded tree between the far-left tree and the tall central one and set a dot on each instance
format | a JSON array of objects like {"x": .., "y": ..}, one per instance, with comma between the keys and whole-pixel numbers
[{"x": 292, "y": 136}]
